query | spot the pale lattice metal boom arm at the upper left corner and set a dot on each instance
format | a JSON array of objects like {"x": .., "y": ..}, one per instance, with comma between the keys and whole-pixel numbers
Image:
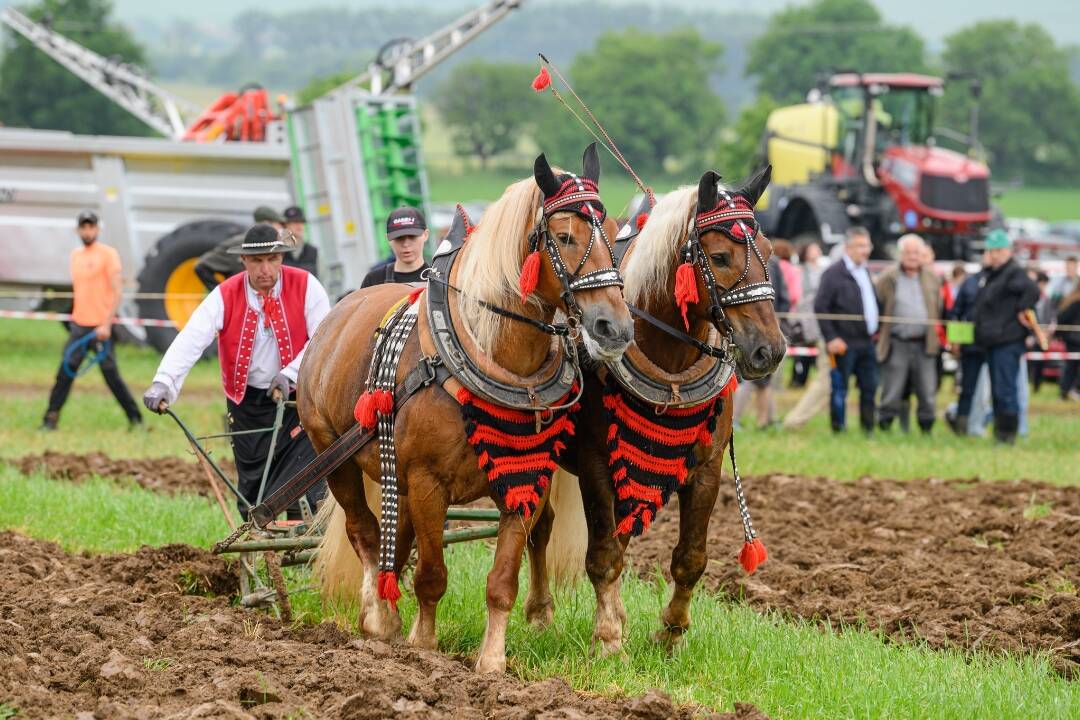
[{"x": 124, "y": 84}]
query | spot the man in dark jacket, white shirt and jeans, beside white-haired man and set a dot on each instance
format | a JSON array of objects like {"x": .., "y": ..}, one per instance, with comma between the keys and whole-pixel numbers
[{"x": 846, "y": 290}]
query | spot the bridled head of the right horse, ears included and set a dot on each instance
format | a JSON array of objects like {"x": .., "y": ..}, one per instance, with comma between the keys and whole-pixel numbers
[{"x": 738, "y": 298}]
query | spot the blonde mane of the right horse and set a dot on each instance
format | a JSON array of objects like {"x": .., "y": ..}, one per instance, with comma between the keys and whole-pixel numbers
[{"x": 650, "y": 267}]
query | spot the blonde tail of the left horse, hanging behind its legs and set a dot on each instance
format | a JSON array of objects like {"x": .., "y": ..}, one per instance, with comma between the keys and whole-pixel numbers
[{"x": 337, "y": 569}]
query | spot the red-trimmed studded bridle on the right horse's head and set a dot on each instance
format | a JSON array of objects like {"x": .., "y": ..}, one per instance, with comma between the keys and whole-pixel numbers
[{"x": 735, "y": 218}]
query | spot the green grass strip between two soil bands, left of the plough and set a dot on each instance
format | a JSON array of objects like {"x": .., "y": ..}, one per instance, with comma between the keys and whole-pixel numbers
[{"x": 102, "y": 517}]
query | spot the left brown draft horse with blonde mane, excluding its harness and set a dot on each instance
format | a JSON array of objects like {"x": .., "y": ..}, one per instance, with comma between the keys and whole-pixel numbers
[{"x": 437, "y": 468}]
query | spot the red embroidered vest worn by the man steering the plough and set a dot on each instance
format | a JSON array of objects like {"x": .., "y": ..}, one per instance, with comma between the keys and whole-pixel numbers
[{"x": 237, "y": 339}]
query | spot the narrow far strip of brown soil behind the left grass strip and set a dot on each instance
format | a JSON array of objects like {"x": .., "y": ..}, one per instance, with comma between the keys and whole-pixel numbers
[{"x": 172, "y": 476}]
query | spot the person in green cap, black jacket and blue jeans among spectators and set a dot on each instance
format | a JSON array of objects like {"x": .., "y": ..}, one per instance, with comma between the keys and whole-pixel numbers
[{"x": 1005, "y": 295}]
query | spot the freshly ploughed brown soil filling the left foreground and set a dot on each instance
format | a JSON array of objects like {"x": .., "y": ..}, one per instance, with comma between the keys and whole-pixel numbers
[{"x": 116, "y": 636}]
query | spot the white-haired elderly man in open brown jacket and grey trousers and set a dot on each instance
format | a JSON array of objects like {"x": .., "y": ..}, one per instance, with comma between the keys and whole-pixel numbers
[{"x": 908, "y": 346}]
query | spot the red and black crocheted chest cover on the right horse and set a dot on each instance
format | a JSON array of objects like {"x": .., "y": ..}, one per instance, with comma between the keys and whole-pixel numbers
[{"x": 652, "y": 455}]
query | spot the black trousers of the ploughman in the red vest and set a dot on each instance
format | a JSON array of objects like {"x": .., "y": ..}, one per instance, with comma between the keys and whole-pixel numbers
[{"x": 292, "y": 452}]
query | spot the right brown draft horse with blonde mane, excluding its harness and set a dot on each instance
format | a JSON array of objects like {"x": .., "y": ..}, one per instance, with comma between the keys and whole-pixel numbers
[{"x": 650, "y": 270}]
